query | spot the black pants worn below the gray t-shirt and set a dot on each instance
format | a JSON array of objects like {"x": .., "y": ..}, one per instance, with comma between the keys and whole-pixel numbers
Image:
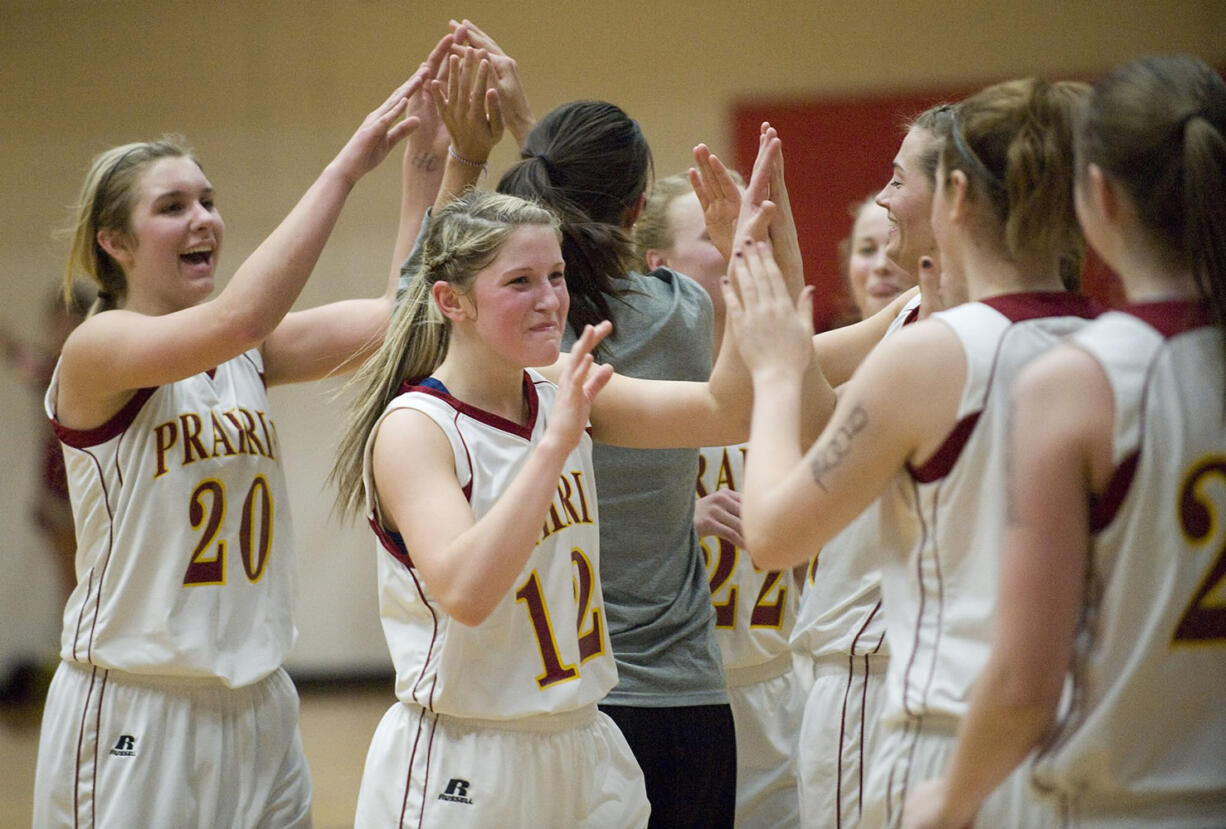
[{"x": 688, "y": 756}]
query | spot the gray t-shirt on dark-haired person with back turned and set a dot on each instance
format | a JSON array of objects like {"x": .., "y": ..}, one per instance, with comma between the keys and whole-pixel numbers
[{"x": 657, "y": 595}]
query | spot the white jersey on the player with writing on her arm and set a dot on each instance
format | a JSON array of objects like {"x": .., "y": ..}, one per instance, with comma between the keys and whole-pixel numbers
[{"x": 942, "y": 523}]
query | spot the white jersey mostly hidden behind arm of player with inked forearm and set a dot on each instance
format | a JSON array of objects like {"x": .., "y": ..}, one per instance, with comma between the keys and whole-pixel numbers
[{"x": 840, "y": 611}]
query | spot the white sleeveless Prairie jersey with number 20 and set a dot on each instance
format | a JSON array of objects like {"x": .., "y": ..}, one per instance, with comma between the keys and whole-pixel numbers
[{"x": 186, "y": 559}]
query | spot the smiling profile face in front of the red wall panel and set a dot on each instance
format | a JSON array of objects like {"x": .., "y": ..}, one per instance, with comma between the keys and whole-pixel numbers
[{"x": 908, "y": 199}]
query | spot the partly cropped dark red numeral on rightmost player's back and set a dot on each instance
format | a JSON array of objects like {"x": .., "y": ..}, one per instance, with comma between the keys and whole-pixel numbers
[{"x": 1201, "y": 521}]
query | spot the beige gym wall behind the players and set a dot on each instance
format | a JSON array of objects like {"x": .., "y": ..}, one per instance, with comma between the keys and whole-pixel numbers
[{"x": 268, "y": 93}]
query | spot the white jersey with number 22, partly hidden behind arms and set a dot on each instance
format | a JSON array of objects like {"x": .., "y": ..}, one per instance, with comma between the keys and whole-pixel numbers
[{"x": 755, "y": 609}]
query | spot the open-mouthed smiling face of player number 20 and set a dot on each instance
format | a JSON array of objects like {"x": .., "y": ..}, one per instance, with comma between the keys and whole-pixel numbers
[{"x": 170, "y": 252}]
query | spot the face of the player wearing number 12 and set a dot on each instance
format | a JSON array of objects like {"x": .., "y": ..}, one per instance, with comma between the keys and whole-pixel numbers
[{"x": 518, "y": 304}]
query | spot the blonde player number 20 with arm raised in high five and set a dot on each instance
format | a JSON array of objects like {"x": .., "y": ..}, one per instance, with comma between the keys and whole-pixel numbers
[{"x": 175, "y": 636}]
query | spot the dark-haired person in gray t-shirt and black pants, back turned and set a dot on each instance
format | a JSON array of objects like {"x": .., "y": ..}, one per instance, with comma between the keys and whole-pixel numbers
[{"x": 590, "y": 162}]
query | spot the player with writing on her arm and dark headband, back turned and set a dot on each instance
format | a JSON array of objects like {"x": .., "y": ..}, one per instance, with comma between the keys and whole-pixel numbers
[{"x": 1003, "y": 218}]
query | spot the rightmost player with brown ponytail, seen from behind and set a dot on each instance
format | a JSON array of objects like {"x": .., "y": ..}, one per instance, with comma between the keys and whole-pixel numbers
[{"x": 1114, "y": 548}]
